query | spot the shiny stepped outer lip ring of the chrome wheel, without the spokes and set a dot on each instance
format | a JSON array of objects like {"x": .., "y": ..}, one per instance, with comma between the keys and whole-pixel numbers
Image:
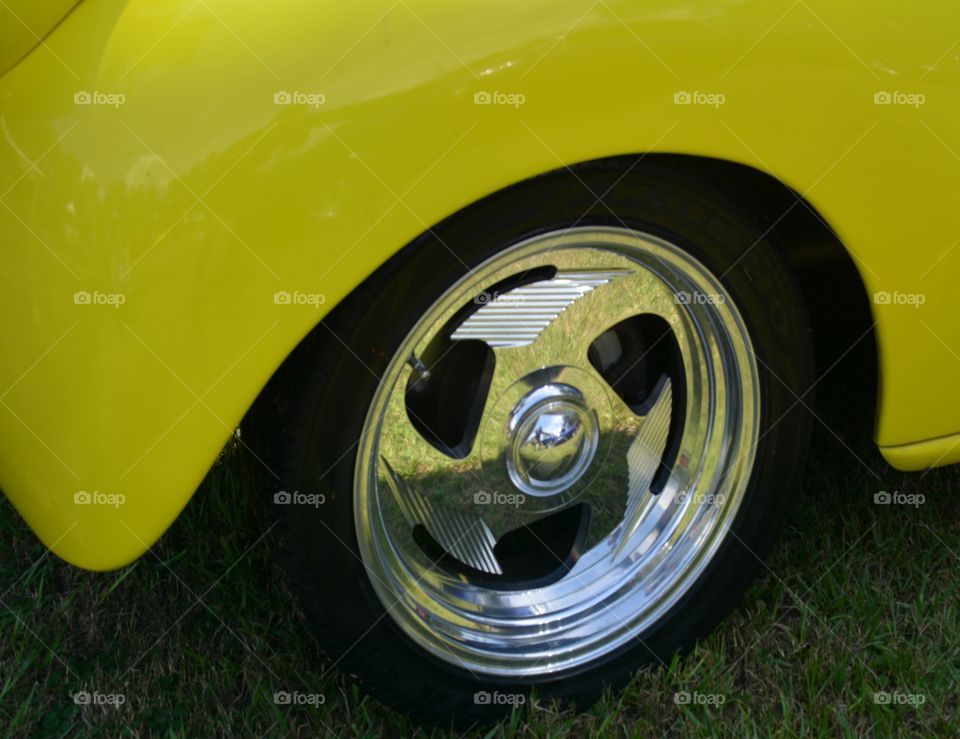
[{"x": 585, "y": 628}]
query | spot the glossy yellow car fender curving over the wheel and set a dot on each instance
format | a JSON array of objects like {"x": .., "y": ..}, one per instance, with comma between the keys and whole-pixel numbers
[{"x": 180, "y": 163}]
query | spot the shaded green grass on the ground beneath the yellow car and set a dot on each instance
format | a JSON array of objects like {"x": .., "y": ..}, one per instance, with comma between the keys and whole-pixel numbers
[{"x": 200, "y": 633}]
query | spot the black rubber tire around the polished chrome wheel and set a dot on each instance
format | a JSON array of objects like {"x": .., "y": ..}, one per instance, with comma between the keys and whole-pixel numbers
[{"x": 314, "y": 410}]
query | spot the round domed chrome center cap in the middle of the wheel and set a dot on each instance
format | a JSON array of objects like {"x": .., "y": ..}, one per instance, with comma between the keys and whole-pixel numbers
[{"x": 551, "y": 439}]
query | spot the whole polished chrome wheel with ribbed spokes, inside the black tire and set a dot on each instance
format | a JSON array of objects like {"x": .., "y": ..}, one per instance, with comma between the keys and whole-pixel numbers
[{"x": 561, "y": 449}]
